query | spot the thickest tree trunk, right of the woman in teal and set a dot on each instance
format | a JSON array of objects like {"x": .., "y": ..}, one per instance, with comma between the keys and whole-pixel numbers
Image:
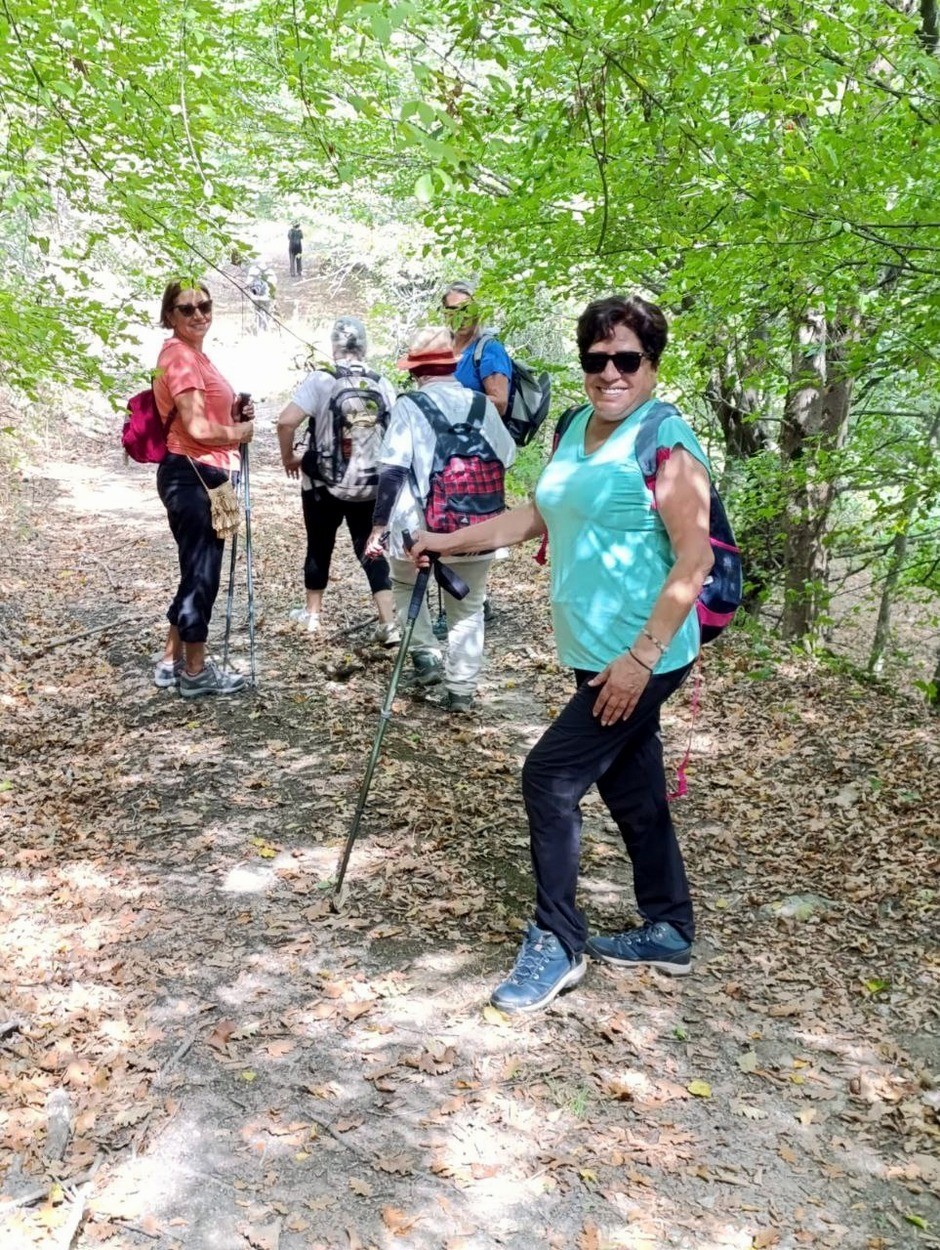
[{"x": 816, "y": 424}]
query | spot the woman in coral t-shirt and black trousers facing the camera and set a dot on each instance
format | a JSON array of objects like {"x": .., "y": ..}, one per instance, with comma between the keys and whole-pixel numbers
[{"x": 204, "y": 434}]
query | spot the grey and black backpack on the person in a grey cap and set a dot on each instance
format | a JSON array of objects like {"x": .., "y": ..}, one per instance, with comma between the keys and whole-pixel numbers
[{"x": 344, "y": 444}]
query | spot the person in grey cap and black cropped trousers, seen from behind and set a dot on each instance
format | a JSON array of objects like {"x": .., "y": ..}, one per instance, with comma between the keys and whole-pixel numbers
[{"x": 347, "y": 409}]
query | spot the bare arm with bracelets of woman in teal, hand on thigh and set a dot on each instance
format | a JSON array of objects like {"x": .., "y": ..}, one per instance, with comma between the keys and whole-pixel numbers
[{"x": 683, "y": 504}]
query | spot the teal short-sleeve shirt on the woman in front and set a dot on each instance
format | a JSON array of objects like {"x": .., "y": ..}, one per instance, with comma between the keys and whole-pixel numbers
[{"x": 609, "y": 548}]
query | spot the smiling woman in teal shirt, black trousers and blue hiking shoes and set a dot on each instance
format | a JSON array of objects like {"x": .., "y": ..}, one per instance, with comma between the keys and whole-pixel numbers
[{"x": 626, "y": 573}]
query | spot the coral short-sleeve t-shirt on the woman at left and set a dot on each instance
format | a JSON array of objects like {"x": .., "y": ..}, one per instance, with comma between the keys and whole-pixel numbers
[{"x": 179, "y": 369}]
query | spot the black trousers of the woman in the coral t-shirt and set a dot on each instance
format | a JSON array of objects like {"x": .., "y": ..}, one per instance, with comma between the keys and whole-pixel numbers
[{"x": 201, "y": 552}]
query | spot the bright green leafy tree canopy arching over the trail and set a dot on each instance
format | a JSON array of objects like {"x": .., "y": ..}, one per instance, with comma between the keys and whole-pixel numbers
[{"x": 767, "y": 173}]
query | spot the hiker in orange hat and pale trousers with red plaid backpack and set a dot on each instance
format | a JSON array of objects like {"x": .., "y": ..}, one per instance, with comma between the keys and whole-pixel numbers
[{"x": 443, "y": 466}]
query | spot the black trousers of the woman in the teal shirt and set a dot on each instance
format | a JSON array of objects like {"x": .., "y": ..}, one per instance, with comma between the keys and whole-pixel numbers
[{"x": 626, "y": 761}]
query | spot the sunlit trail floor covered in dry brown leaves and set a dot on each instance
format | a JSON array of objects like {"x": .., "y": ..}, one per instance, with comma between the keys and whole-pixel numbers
[{"x": 244, "y": 1069}]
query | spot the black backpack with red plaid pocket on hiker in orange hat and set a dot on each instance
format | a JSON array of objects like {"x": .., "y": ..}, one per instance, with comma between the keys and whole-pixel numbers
[{"x": 468, "y": 478}]
